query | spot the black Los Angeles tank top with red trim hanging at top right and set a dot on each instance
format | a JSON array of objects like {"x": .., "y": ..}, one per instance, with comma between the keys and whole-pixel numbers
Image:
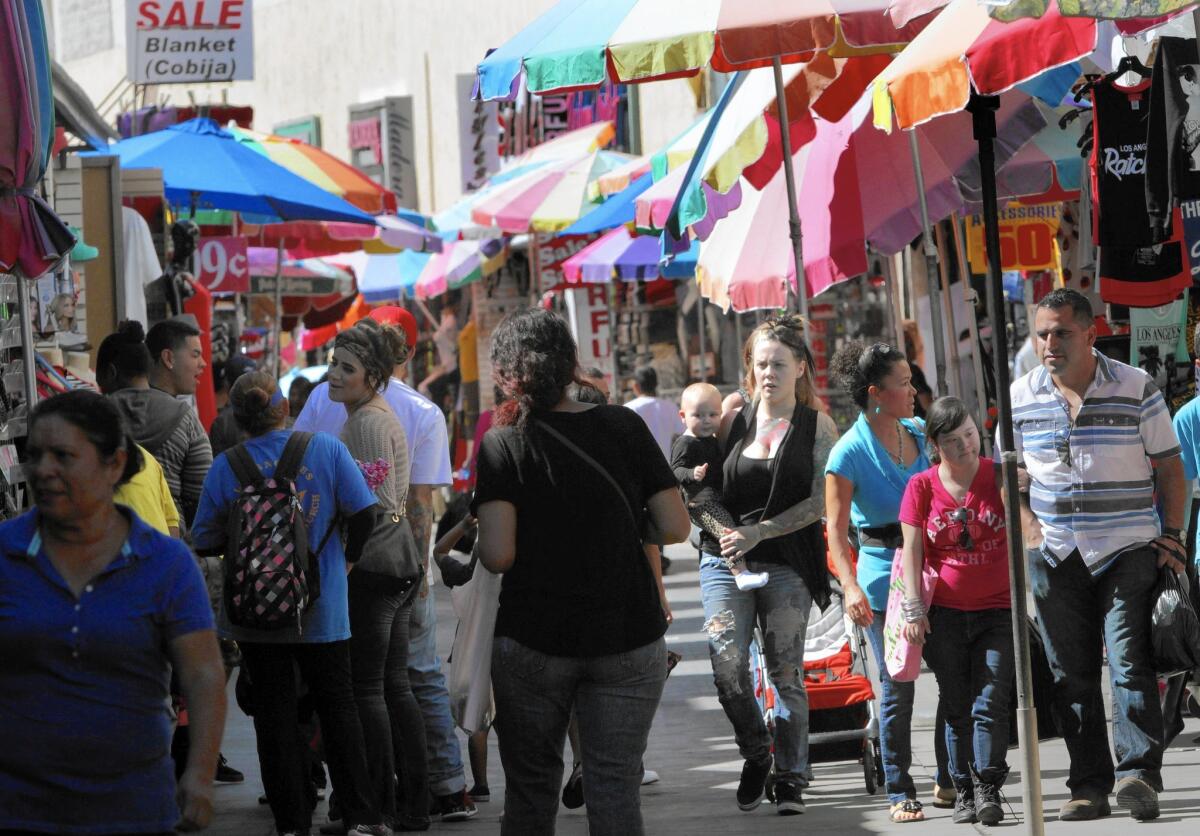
[{"x": 1119, "y": 166}]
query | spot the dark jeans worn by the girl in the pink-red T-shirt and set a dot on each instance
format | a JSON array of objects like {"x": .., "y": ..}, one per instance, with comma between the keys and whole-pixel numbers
[{"x": 971, "y": 654}]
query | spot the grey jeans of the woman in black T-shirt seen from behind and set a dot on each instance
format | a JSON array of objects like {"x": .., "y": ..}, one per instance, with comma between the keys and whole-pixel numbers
[{"x": 615, "y": 700}]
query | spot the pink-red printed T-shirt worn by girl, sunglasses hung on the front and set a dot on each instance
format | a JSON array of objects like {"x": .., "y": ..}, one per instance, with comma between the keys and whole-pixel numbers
[{"x": 967, "y": 543}]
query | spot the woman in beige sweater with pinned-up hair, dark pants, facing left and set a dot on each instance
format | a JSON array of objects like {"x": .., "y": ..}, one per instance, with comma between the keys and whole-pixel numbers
[{"x": 381, "y": 608}]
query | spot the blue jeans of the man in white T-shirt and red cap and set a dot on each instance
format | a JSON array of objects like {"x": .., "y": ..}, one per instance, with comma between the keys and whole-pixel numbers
[{"x": 430, "y": 688}]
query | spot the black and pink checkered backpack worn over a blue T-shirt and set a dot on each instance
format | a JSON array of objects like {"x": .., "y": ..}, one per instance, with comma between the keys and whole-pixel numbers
[{"x": 272, "y": 578}]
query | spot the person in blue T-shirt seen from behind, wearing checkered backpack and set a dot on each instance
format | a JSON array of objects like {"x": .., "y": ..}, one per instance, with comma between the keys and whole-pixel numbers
[{"x": 331, "y": 488}]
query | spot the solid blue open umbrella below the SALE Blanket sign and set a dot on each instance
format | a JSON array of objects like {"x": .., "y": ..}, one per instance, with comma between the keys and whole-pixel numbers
[{"x": 203, "y": 164}]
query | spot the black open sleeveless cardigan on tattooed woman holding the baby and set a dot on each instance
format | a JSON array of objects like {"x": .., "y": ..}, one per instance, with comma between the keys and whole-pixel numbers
[{"x": 790, "y": 485}]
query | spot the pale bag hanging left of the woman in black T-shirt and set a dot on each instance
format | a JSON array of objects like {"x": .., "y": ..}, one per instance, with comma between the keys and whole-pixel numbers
[{"x": 471, "y": 661}]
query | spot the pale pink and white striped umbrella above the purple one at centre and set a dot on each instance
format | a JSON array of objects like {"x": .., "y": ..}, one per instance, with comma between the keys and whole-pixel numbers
[{"x": 549, "y": 199}]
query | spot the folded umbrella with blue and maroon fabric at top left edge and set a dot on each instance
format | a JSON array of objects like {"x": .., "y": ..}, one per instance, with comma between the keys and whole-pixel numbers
[{"x": 33, "y": 238}]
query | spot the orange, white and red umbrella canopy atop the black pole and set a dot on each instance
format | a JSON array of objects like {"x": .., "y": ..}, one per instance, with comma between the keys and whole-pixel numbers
[{"x": 964, "y": 47}]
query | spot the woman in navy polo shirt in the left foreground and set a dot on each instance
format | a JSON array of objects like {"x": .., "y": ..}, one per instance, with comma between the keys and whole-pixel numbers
[{"x": 95, "y": 611}]
